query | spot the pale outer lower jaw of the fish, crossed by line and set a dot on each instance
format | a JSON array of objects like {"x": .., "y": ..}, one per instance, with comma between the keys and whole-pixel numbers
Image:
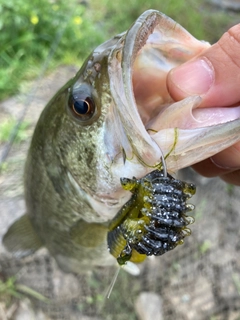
[{"x": 183, "y": 148}]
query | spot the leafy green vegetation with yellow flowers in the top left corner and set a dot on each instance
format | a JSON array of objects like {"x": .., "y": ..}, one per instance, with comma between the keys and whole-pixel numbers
[{"x": 28, "y": 29}]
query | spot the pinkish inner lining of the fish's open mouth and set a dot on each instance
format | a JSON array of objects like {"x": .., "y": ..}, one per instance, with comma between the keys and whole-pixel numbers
[{"x": 161, "y": 52}]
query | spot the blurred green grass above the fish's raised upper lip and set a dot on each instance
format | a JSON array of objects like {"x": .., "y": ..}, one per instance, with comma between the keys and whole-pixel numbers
[{"x": 200, "y": 19}]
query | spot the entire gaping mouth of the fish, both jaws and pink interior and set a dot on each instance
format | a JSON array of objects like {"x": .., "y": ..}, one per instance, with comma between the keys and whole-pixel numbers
[{"x": 182, "y": 131}]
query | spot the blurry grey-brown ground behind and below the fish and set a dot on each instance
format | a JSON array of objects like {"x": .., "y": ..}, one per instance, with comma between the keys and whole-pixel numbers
[{"x": 196, "y": 281}]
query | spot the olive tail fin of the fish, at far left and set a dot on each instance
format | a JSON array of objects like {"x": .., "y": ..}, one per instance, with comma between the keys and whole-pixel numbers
[{"x": 21, "y": 239}]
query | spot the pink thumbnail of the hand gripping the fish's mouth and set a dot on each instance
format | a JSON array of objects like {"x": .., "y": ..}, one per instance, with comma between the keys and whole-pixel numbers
[{"x": 195, "y": 77}]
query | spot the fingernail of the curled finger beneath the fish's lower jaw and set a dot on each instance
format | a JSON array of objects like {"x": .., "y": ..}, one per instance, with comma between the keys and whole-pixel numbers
[{"x": 227, "y": 159}]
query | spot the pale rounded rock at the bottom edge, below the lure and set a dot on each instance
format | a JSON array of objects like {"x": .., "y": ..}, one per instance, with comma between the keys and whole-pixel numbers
[{"x": 148, "y": 306}]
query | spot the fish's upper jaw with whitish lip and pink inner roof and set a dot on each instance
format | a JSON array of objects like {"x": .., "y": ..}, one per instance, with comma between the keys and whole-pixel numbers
[{"x": 140, "y": 53}]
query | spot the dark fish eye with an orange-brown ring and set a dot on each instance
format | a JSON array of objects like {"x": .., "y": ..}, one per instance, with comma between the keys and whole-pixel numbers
[{"x": 81, "y": 106}]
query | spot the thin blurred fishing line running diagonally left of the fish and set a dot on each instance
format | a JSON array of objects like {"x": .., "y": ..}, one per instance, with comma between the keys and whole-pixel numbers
[{"x": 33, "y": 91}]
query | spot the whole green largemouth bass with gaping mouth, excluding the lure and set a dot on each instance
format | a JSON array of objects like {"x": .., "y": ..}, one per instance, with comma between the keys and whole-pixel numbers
[{"x": 114, "y": 119}]
